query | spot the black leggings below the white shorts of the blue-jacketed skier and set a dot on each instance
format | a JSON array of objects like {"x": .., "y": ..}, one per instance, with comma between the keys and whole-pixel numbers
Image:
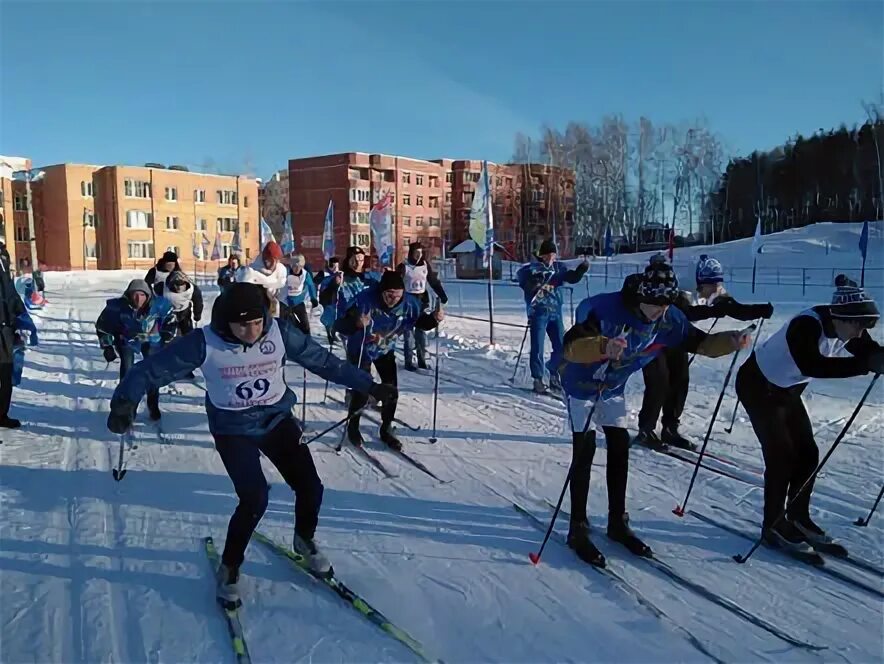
[{"x": 617, "y": 471}]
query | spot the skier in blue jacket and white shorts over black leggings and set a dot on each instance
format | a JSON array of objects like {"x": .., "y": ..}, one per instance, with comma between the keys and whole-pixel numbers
[{"x": 614, "y": 336}]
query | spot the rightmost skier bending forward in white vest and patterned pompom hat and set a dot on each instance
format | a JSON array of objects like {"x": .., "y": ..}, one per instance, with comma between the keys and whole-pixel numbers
[{"x": 825, "y": 341}]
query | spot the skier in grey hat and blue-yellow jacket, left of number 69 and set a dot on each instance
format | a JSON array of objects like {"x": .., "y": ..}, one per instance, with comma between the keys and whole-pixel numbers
[{"x": 137, "y": 322}]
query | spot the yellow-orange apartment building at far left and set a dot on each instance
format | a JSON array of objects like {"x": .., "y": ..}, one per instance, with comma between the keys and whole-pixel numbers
[{"x": 114, "y": 217}]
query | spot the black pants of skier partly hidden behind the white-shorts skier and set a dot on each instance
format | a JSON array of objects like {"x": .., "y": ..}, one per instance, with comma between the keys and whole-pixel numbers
[{"x": 667, "y": 381}]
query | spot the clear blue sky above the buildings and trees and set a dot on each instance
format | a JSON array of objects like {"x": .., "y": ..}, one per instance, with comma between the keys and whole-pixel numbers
[{"x": 239, "y": 83}]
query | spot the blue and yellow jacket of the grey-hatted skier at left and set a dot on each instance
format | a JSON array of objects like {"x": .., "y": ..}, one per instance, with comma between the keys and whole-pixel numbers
[{"x": 121, "y": 325}]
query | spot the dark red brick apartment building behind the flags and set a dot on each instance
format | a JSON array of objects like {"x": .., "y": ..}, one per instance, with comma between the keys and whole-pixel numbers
[{"x": 431, "y": 201}]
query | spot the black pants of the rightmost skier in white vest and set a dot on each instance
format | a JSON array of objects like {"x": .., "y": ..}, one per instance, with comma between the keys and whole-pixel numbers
[{"x": 783, "y": 428}]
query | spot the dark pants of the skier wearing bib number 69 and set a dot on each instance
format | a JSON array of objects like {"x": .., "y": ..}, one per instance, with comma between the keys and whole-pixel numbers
[{"x": 241, "y": 456}]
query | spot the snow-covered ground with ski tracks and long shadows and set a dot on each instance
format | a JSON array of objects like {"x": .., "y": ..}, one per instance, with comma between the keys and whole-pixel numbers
[{"x": 94, "y": 570}]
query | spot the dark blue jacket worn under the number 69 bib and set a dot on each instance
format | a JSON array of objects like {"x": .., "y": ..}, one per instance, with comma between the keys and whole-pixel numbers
[{"x": 187, "y": 353}]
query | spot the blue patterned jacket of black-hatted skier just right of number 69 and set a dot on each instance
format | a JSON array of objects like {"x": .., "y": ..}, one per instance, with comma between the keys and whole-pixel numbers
[{"x": 387, "y": 324}]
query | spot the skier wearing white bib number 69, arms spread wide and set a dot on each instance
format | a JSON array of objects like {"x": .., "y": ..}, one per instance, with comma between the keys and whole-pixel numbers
[{"x": 249, "y": 407}]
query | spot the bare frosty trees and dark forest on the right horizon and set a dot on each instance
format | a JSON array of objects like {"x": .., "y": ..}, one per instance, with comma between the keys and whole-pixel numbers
[{"x": 642, "y": 178}]
